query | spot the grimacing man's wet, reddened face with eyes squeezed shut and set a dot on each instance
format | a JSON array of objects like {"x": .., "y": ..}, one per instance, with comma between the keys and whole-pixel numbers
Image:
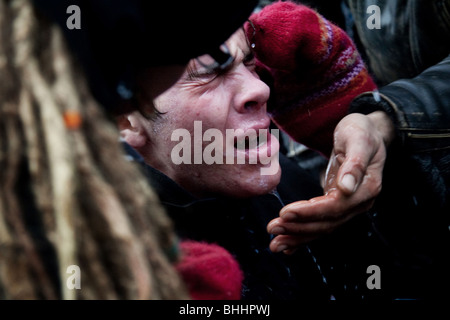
[{"x": 212, "y": 136}]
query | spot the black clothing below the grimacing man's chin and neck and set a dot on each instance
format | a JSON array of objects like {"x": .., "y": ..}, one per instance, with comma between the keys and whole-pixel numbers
[{"x": 239, "y": 225}]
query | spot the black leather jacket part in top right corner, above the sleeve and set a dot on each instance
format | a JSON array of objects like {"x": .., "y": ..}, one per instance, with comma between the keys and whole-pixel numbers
[{"x": 413, "y": 36}]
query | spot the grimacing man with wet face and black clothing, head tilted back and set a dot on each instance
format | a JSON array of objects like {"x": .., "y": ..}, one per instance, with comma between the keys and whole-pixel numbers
[{"x": 222, "y": 202}]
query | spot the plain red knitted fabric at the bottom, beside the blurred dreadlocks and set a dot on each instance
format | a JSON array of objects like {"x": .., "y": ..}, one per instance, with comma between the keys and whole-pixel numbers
[{"x": 209, "y": 271}]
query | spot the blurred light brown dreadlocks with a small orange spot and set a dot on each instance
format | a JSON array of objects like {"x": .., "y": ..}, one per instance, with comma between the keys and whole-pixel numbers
[{"x": 67, "y": 194}]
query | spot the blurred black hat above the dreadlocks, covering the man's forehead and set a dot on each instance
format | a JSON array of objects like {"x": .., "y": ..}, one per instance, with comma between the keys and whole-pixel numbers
[{"x": 119, "y": 38}]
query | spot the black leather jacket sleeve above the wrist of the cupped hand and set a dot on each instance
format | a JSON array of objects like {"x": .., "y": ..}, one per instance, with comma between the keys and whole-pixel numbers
[{"x": 419, "y": 108}]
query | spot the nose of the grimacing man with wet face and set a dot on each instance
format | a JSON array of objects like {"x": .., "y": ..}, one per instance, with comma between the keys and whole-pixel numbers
[{"x": 252, "y": 93}]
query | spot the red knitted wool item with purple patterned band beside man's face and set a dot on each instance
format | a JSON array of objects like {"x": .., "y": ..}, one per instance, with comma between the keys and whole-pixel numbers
[{"x": 315, "y": 70}]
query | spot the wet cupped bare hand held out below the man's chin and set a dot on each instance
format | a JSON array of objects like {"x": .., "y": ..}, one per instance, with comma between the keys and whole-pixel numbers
[{"x": 351, "y": 184}]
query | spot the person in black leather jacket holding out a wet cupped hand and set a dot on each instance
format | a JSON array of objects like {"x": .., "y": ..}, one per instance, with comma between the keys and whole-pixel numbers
[{"x": 410, "y": 63}]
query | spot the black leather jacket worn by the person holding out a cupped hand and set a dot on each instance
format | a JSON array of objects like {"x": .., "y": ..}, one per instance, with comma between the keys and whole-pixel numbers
[{"x": 409, "y": 56}]
